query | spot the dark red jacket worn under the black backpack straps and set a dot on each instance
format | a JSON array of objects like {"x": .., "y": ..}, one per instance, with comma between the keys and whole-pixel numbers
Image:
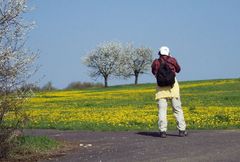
[{"x": 171, "y": 61}]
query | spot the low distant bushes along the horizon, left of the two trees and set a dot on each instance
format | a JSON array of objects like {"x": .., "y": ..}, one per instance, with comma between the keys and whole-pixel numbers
[{"x": 72, "y": 86}]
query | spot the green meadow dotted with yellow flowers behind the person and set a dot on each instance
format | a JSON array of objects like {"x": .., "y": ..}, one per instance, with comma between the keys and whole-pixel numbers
[{"x": 223, "y": 94}]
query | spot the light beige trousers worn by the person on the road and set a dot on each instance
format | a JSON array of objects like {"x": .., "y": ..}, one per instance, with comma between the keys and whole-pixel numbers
[{"x": 177, "y": 111}]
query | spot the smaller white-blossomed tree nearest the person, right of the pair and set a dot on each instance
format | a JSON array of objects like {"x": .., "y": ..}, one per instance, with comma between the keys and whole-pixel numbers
[{"x": 135, "y": 61}]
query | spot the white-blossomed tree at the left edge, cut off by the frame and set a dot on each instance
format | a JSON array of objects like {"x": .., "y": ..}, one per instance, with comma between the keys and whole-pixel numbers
[{"x": 16, "y": 62}]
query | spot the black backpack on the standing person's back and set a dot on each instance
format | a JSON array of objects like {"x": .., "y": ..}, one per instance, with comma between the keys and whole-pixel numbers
[{"x": 165, "y": 76}]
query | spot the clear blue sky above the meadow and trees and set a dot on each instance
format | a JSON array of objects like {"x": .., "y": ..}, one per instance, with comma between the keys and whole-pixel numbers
[{"x": 203, "y": 35}]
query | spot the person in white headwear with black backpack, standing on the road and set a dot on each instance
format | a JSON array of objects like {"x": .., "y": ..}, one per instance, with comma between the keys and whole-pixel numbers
[{"x": 165, "y": 69}]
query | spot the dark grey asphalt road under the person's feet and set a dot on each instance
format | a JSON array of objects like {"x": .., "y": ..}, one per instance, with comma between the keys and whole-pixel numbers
[{"x": 198, "y": 146}]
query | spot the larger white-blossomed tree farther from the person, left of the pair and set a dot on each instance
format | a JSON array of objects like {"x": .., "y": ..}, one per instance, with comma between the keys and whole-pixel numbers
[{"x": 104, "y": 60}]
